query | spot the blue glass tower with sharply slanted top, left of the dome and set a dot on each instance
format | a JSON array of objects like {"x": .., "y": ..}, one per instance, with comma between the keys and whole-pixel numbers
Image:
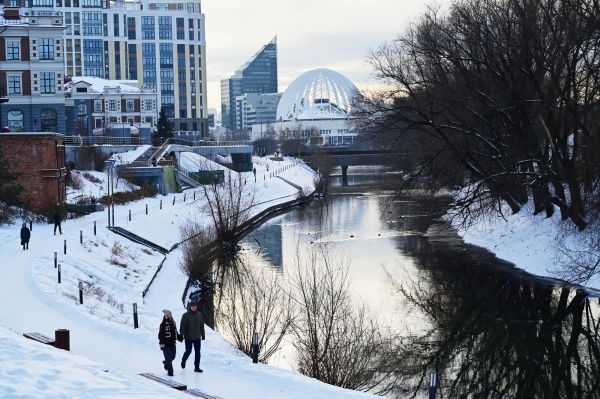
[{"x": 258, "y": 75}]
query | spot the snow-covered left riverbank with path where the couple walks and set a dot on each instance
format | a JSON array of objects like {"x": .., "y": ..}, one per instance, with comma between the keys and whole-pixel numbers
[{"x": 114, "y": 272}]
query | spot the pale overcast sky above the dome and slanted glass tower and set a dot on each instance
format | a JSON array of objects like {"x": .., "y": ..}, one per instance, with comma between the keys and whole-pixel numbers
[{"x": 335, "y": 34}]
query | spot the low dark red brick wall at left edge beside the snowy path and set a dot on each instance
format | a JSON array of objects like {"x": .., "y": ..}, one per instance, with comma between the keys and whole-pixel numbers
[{"x": 41, "y": 165}]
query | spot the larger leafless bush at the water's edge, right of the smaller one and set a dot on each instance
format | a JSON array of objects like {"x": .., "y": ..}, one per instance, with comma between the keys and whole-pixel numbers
[{"x": 336, "y": 342}]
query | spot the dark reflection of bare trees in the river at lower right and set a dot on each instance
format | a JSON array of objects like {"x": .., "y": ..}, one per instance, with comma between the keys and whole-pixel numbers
[{"x": 493, "y": 336}]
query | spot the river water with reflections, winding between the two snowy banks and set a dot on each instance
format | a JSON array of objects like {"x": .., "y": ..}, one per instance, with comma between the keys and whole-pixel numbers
[{"x": 488, "y": 329}]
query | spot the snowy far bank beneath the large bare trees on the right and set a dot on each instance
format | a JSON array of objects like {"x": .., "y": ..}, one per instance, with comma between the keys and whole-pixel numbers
[{"x": 532, "y": 242}]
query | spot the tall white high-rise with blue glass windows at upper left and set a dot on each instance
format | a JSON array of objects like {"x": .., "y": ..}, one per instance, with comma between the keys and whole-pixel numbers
[{"x": 159, "y": 43}]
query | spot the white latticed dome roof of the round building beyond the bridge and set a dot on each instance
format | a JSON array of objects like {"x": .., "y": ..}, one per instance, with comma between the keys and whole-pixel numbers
[{"x": 317, "y": 94}]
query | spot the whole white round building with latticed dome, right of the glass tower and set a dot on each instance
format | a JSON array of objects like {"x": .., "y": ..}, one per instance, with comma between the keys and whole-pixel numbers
[{"x": 318, "y": 100}]
